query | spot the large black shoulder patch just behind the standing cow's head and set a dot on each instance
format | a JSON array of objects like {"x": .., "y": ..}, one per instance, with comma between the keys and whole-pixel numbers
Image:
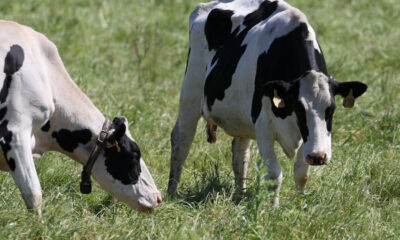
[{"x": 288, "y": 58}]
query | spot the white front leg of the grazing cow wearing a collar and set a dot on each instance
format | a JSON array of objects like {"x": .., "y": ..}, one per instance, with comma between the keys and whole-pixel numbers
[{"x": 22, "y": 168}]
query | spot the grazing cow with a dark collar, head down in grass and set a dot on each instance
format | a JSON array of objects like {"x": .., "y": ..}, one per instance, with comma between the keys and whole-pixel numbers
[{"x": 42, "y": 109}]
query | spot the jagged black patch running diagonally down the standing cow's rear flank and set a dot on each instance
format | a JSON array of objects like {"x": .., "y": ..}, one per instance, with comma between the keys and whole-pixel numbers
[{"x": 228, "y": 46}]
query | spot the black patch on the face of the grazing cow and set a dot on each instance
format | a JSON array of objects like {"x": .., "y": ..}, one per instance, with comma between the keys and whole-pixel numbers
[{"x": 124, "y": 165}]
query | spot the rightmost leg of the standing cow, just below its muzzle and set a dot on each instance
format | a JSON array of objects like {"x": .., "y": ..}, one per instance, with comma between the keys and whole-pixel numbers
[{"x": 301, "y": 170}]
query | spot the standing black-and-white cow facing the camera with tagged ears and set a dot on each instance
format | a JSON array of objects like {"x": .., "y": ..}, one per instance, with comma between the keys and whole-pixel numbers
[{"x": 256, "y": 70}]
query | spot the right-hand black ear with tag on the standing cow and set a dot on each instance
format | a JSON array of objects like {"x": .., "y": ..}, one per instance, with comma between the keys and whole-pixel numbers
[{"x": 349, "y": 91}]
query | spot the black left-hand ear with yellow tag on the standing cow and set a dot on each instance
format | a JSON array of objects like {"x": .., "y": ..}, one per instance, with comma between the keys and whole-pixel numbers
[{"x": 277, "y": 91}]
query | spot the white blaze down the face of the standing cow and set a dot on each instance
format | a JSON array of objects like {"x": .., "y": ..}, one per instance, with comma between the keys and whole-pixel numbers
[{"x": 316, "y": 98}]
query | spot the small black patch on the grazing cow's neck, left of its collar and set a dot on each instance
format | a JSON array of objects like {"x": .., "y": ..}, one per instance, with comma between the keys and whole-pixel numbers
[{"x": 70, "y": 140}]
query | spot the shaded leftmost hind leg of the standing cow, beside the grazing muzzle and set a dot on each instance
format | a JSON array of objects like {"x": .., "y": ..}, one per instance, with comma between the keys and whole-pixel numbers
[{"x": 181, "y": 139}]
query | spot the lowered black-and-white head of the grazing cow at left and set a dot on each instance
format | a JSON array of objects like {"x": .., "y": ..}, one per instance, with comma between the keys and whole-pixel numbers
[{"x": 121, "y": 171}]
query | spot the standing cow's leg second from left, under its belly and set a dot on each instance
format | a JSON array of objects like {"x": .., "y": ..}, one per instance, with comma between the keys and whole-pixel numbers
[{"x": 240, "y": 161}]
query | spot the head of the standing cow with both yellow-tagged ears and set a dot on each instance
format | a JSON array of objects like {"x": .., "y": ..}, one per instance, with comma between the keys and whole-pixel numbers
[{"x": 311, "y": 98}]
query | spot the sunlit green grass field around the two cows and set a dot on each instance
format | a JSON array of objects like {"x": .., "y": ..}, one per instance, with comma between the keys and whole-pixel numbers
[{"x": 129, "y": 57}]
